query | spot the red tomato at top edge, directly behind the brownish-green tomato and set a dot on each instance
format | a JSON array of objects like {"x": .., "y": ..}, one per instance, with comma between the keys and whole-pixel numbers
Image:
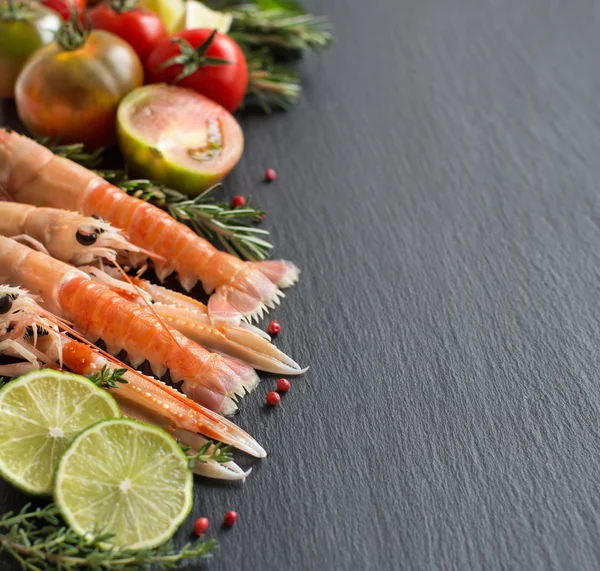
[{"x": 140, "y": 28}]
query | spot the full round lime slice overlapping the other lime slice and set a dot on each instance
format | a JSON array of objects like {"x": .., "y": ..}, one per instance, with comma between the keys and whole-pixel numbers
[{"x": 125, "y": 478}]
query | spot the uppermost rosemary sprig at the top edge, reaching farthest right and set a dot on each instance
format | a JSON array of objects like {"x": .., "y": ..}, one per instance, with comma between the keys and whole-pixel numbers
[{"x": 280, "y": 25}]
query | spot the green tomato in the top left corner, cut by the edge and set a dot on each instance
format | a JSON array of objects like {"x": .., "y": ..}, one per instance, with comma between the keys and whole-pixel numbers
[{"x": 24, "y": 28}]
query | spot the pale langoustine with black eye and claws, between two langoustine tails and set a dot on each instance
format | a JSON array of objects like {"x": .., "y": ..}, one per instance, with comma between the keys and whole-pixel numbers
[{"x": 78, "y": 240}]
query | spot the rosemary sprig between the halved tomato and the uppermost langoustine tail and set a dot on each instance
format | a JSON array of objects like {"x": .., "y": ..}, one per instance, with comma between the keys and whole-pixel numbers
[{"x": 232, "y": 227}]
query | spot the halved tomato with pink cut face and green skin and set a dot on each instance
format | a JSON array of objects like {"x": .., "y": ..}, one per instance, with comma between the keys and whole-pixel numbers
[{"x": 177, "y": 137}]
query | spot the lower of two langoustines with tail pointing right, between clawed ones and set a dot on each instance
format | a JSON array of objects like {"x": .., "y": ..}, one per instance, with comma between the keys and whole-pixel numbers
[{"x": 97, "y": 312}]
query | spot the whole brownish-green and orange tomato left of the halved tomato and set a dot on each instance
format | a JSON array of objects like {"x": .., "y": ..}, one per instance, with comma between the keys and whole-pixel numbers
[{"x": 70, "y": 90}]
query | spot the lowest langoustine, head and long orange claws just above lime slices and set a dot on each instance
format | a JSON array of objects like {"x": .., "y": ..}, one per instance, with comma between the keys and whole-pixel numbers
[{"x": 36, "y": 338}]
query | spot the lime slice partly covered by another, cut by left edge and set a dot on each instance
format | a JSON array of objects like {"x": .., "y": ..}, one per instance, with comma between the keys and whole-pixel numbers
[{"x": 40, "y": 414}]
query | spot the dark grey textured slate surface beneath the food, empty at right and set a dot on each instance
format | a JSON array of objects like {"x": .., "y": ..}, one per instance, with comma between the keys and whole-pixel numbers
[{"x": 439, "y": 188}]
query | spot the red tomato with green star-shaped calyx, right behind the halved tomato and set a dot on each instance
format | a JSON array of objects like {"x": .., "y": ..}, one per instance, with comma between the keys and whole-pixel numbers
[{"x": 225, "y": 83}]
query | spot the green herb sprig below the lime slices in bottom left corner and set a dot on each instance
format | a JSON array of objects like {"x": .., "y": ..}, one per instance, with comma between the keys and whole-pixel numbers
[{"x": 39, "y": 540}]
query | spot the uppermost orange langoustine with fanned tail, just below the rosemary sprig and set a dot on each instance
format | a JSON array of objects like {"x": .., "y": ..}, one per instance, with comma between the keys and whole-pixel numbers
[{"x": 32, "y": 174}]
